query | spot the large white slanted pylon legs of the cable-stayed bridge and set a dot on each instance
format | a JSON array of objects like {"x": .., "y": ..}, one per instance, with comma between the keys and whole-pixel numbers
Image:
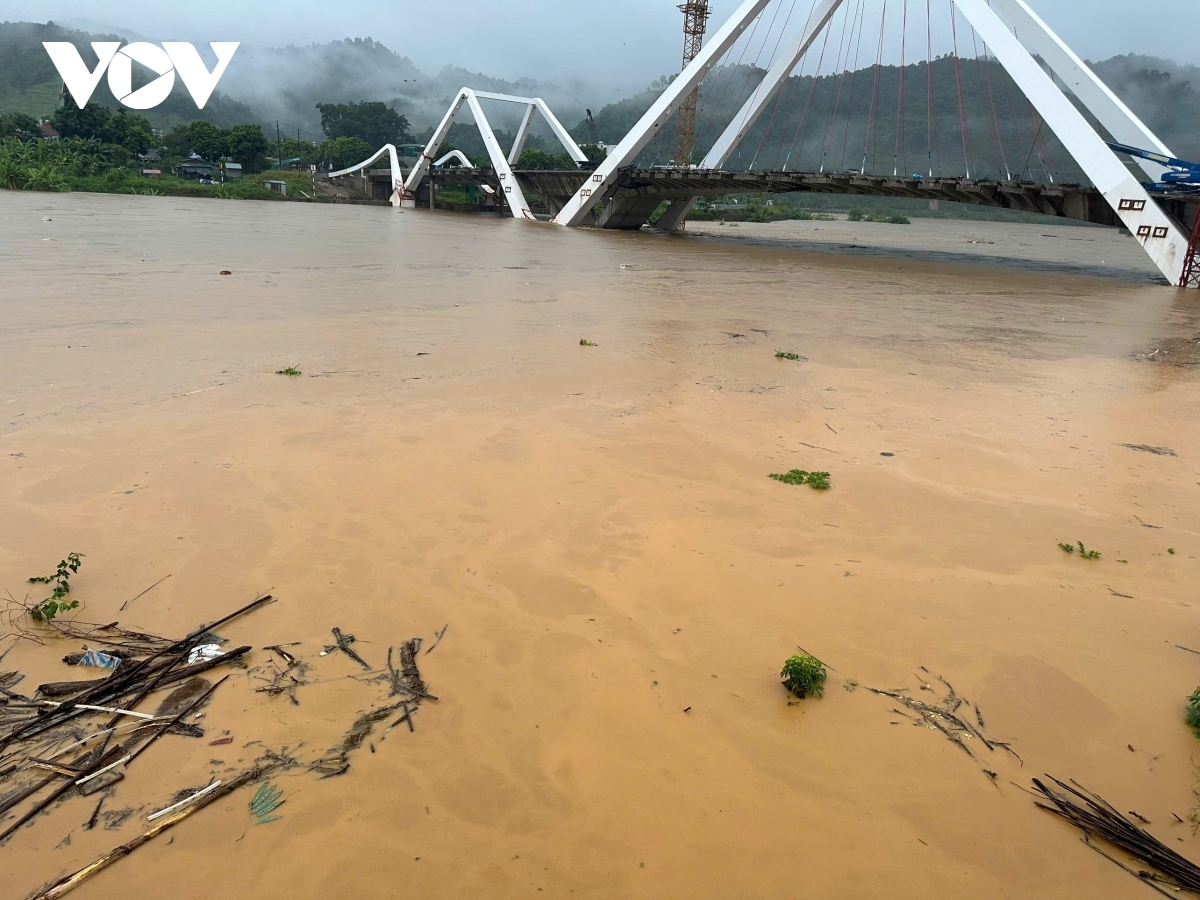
[{"x": 1159, "y": 235}]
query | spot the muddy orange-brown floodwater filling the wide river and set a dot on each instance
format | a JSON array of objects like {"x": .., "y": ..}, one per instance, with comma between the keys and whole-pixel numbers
[{"x": 621, "y": 579}]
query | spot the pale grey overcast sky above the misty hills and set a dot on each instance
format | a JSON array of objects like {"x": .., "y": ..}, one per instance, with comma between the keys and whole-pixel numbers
[{"x": 619, "y": 43}]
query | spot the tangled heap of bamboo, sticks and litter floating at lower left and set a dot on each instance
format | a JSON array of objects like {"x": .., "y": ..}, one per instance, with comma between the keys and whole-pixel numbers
[{"x": 79, "y": 739}]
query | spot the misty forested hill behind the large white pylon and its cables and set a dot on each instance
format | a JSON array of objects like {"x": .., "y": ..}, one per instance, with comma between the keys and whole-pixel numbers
[{"x": 824, "y": 122}]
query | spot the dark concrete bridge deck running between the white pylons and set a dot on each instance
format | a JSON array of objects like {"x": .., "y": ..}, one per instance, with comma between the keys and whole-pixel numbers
[{"x": 640, "y": 191}]
